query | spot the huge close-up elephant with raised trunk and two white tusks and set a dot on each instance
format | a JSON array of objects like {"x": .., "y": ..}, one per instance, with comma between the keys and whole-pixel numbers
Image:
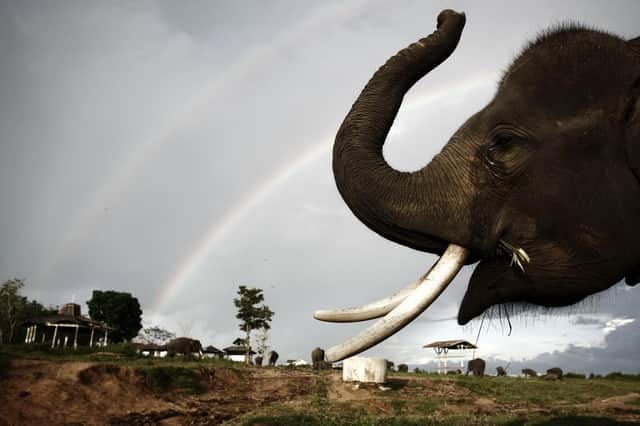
[{"x": 514, "y": 190}]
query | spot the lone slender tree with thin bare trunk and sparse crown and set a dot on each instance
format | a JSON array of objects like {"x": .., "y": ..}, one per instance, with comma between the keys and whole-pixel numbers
[{"x": 253, "y": 313}]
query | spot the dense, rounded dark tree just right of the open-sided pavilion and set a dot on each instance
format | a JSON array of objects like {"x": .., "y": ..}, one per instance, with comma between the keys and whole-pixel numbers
[{"x": 119, "y": 310}]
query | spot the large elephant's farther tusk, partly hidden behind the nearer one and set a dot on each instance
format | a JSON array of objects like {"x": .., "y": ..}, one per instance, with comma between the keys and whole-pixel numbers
[{"x": 373, "y": 310}]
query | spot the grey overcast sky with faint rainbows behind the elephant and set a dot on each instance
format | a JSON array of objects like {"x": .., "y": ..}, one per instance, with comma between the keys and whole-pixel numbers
[{"x": 176, "y": 150}]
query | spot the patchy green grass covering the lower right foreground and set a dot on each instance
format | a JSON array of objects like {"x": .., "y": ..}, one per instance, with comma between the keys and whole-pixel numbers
[{"x": 424, "y": 399}]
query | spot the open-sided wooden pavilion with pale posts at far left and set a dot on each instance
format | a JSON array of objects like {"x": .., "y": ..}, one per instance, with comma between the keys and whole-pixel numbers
[{"x": 67, "y": 328}]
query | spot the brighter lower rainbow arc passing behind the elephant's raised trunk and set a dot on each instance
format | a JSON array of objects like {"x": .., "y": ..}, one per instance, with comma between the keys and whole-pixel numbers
[{"x": 219, "y": 228}]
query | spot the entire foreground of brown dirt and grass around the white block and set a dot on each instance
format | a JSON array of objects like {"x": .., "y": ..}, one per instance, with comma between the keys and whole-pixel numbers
[{"x": 171, "y": 393}]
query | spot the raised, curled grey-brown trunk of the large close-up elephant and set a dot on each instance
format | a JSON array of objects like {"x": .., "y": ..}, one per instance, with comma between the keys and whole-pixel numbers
[{"x": 406, "y": 207}]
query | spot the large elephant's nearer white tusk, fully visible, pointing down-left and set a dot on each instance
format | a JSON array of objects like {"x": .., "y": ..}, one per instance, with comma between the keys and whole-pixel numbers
[{"x": 431, "y": 286}]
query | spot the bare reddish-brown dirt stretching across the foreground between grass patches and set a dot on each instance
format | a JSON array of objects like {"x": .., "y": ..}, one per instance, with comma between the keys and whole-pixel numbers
[{"x": 82, "y": 393}]
